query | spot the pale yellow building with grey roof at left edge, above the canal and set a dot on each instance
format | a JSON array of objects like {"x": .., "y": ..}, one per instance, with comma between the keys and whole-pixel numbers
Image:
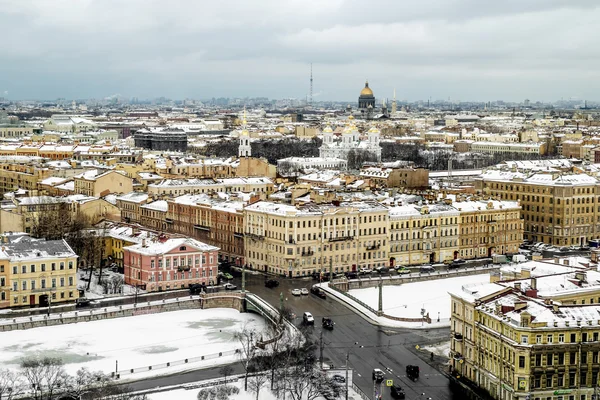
[{"x": 36, "y": 272}]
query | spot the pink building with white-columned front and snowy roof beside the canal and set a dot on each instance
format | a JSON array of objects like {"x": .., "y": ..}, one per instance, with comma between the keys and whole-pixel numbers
[{"x": 170, "y": 264}]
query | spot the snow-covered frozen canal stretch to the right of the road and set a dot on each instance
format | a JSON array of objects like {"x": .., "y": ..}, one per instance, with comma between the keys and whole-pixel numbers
[{"x": 408, "y": 299}]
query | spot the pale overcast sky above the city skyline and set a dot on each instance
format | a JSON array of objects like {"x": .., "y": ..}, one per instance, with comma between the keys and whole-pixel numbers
[{"x": 438, "y": 49}]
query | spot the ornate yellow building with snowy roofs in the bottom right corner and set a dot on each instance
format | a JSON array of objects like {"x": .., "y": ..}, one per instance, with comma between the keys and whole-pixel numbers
[{"x": 534, "y": 338}]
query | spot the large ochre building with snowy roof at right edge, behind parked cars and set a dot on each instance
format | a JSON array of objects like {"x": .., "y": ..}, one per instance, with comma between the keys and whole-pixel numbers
[{"x": 558, "y": 208}]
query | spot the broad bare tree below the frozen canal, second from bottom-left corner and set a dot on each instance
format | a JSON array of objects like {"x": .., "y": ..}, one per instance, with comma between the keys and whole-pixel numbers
[{"x": 45, "y": 376}]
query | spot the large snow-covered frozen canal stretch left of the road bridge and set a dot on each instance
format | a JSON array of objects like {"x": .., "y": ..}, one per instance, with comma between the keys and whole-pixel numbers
[{"x": 133, "y": 342}]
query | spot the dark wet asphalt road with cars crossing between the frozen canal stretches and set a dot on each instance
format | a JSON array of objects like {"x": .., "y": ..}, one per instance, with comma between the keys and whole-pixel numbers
[{"x": 366, "y": 345}]
